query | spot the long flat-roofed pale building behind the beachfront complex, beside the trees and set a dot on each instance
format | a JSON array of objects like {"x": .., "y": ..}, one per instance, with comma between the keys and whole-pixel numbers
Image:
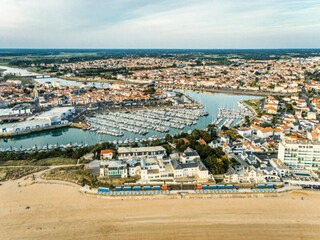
[{"x": 126, "y": 153}]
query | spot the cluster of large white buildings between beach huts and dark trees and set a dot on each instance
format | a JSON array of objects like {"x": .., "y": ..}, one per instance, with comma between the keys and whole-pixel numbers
[{"x": 152, "y": 164}]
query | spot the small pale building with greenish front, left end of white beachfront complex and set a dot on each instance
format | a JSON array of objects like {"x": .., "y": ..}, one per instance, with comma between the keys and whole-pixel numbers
[{"x": 113, "y": 169}]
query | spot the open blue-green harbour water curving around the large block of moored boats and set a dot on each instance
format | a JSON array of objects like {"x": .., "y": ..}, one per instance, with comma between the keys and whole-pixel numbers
[{"x": 211, "y": 101}]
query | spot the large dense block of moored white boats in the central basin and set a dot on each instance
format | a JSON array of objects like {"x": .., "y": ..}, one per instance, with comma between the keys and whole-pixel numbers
[{"x": 141, "y": 122}]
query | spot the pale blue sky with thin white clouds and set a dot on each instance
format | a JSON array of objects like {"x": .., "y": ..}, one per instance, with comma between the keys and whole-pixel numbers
[{"x": 179, "y": 24}]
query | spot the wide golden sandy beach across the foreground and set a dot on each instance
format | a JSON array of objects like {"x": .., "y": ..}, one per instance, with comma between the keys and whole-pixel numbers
[{"x": 61, "y": 212}]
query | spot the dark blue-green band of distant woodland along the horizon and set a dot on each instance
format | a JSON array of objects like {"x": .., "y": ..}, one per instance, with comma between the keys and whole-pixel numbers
[{"x": 27, "y": 57}]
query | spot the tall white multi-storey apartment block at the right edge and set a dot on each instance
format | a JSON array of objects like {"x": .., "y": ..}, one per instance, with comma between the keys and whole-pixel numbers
[{"x": 300, "y": 154}]
